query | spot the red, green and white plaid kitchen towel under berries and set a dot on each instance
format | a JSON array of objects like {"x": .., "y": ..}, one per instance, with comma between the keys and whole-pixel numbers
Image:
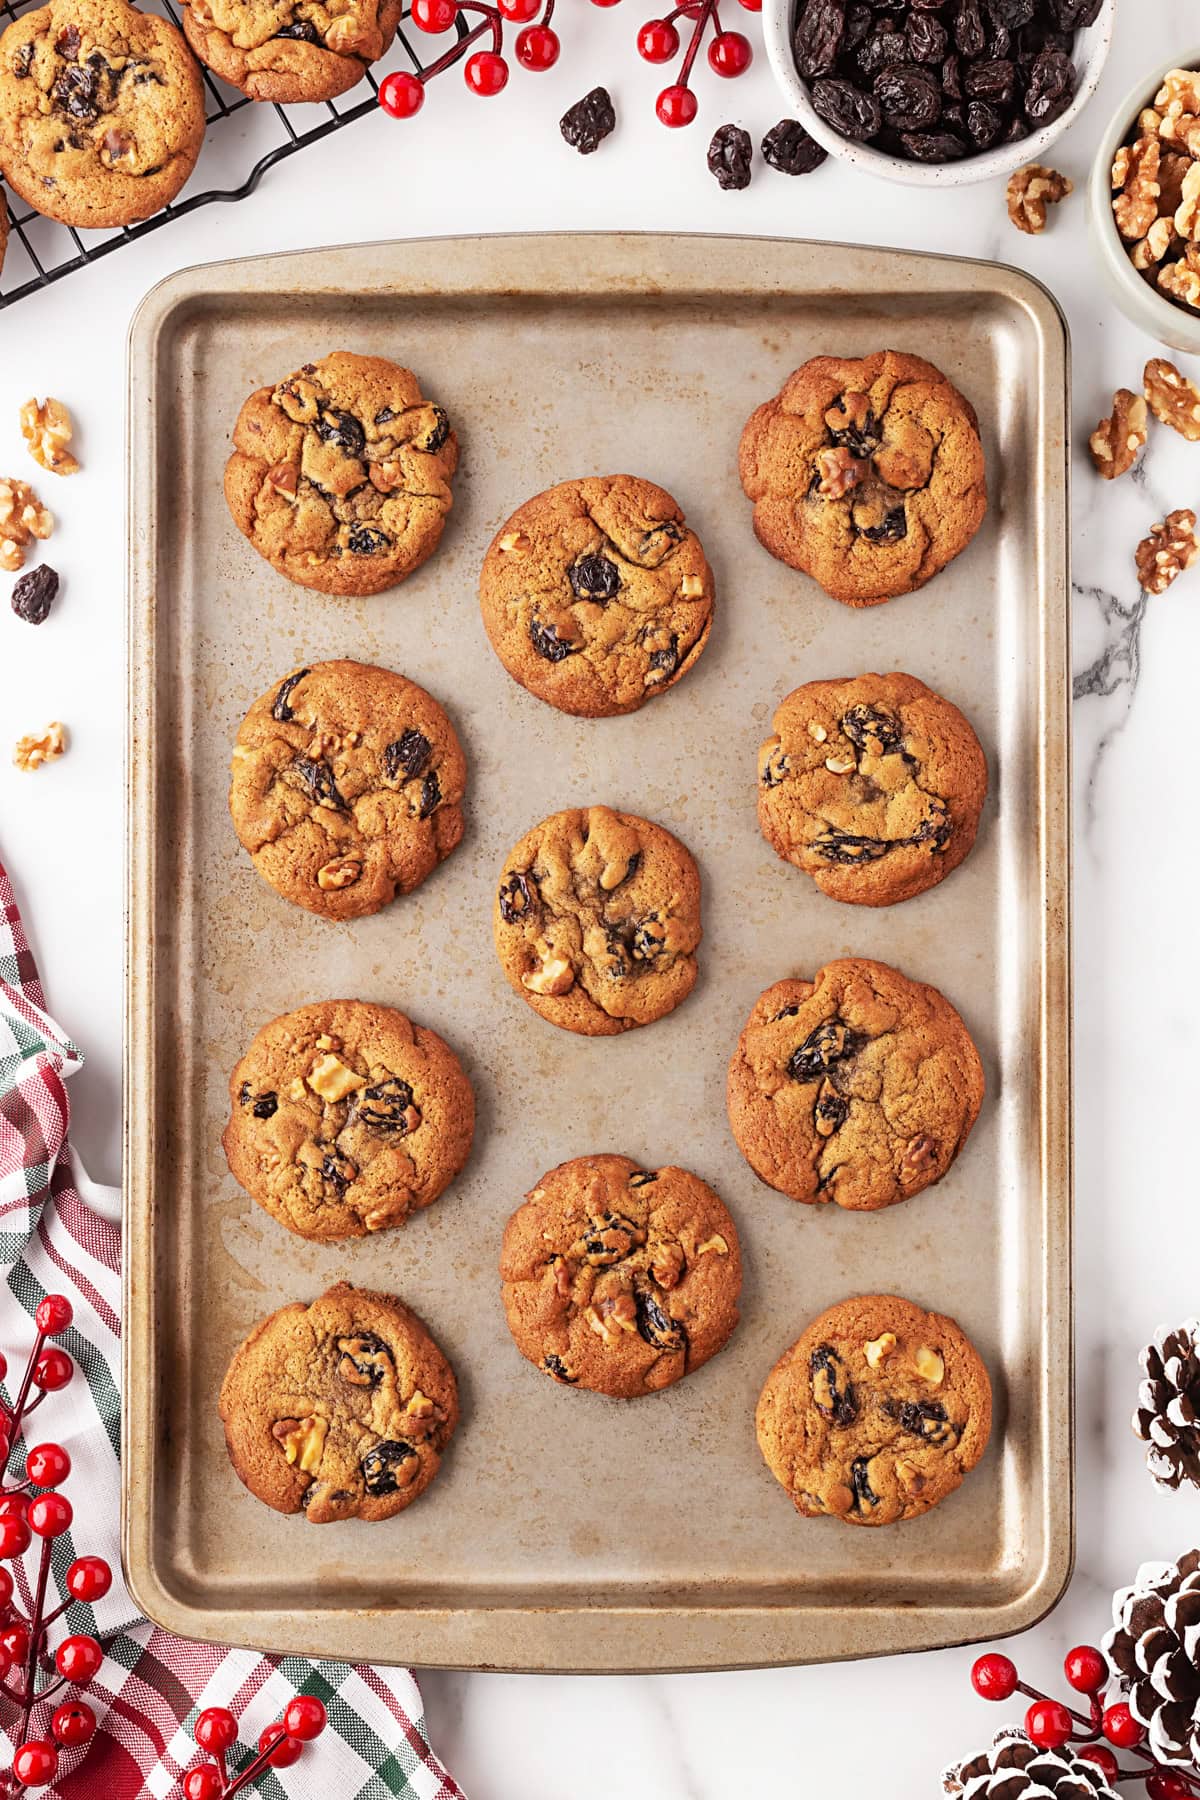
[{"x": 60, "y": 1234}]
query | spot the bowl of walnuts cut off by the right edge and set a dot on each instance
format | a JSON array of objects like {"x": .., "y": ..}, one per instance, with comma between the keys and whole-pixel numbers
[{"x": 1145, "y": 204}]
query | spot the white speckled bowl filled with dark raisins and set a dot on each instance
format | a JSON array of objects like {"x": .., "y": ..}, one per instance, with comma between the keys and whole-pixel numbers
[{"x": 938, "y": 93}]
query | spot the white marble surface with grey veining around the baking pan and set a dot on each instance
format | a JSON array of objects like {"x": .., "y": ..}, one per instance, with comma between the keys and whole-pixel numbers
[{"x": 785, "y": 1732}]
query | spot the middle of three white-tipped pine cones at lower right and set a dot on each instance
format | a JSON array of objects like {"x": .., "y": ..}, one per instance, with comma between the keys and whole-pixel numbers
[{"x": 1152, "y": 1650}]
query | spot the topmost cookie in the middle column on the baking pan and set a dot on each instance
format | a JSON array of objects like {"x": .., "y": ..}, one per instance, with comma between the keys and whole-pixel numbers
[{"x": 596, "y": 595}]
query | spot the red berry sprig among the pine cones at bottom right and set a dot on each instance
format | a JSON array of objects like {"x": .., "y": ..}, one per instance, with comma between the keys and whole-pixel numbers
[{"x": 1052, "y": 1725}]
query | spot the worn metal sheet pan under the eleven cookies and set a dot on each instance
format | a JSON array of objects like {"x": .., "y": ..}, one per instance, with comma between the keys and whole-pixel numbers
[{"x": 569, "y": 1533}]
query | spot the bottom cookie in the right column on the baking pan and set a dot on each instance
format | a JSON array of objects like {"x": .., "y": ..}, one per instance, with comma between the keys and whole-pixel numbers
[{"x": 875, "y": 1414}]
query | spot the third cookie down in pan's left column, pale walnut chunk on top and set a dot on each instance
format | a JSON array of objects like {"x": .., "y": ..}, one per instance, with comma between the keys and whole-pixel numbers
[{"x": 346, "y": 1119}]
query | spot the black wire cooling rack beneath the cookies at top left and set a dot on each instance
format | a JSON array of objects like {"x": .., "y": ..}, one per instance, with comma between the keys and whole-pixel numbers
[{"x": 244, "y": 136}]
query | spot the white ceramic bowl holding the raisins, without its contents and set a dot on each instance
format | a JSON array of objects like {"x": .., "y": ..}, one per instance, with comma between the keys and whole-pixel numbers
[{"x": 1091, "y": 53}]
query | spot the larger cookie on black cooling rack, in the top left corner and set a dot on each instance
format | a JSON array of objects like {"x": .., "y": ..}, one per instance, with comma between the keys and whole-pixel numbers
[{"x": 102, "y": 112}]
